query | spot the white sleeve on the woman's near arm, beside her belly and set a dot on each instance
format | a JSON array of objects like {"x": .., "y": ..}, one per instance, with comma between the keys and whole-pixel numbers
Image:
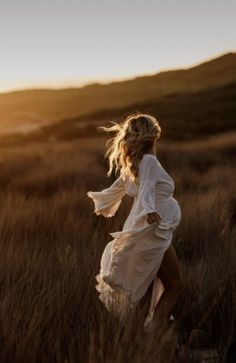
[{"x": 149, "y": 174}]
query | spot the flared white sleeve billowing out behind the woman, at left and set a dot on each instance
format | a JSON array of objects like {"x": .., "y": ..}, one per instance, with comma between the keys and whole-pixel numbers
[{"x": 107, "y": 201}]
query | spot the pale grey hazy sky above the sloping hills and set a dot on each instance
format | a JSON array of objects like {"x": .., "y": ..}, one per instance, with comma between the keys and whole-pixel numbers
[{"x": 57, "y": 43}]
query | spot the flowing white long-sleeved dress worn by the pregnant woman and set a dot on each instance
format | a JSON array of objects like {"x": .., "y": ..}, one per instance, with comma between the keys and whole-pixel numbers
[{"x": 131, "y": 260}]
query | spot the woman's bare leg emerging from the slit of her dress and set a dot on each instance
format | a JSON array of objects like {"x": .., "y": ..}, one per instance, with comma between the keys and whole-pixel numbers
[{"x": 171, "y": 277}]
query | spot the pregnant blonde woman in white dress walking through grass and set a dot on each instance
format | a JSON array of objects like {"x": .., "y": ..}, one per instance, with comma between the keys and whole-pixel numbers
[{"x": 141, "y": 254}]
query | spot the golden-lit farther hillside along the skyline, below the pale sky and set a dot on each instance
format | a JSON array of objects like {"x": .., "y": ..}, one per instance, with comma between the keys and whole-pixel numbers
[{"x": 26, "y": 109}]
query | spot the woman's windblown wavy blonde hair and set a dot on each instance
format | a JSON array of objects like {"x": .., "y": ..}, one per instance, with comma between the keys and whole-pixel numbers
[{"x": 134, "y": 137}]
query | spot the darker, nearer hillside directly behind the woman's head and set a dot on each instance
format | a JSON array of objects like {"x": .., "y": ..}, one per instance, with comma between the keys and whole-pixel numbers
[{"x": 182, "y": 116}]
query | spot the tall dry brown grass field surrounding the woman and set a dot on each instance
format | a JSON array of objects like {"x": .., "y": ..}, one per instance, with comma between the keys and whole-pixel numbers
[{"x": 51, "y": 244}]
